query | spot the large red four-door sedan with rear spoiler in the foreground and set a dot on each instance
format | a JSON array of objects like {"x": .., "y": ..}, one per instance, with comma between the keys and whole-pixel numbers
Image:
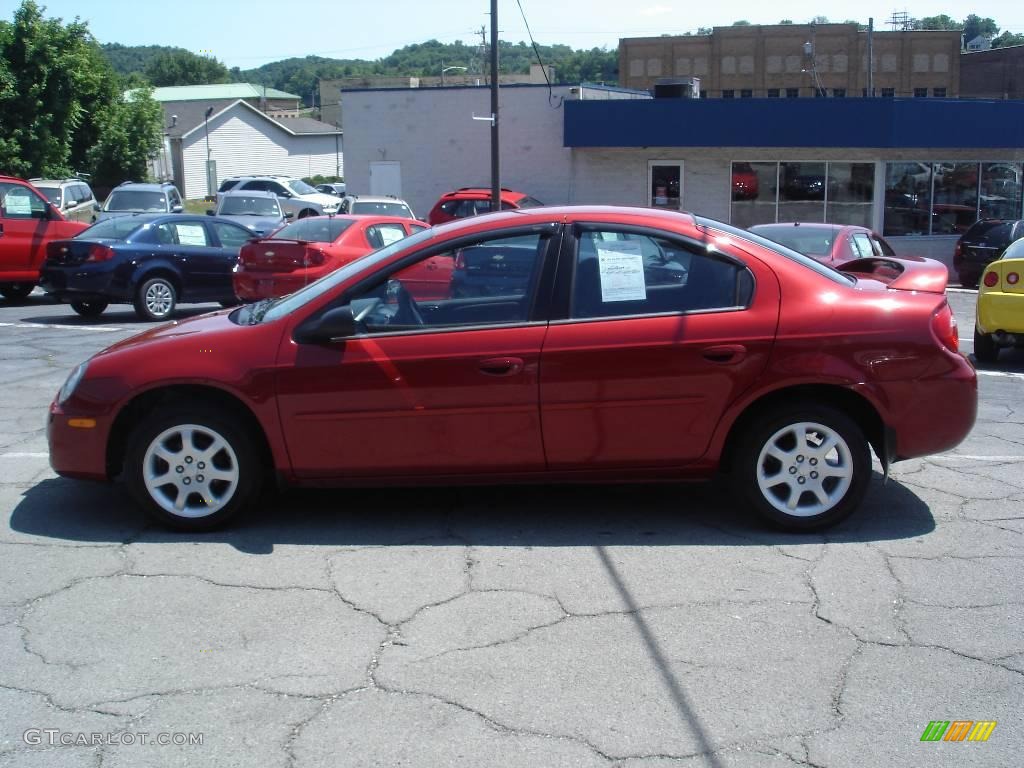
[{"x": 643, "y": 346}]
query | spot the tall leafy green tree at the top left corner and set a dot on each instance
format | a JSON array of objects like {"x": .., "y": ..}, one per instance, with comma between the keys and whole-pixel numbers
[{"x": 54, "y": 82}]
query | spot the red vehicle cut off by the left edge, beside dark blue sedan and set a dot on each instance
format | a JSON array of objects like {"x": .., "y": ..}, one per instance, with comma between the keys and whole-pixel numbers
[{"x": 28, "y": 224}]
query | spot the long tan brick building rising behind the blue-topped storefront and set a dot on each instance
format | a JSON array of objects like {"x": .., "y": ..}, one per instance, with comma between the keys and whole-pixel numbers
[{"x": 797, "y": 61}]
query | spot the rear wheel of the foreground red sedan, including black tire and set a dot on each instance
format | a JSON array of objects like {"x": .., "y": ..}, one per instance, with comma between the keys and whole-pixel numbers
[{"x": 844, "y": 489}]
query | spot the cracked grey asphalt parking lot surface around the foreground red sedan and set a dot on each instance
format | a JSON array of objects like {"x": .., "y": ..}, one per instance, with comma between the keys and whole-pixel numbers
[{"x": 643, "y": 627}]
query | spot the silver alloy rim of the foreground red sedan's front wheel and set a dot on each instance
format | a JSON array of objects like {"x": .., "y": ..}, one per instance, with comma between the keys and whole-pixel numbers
[{"x": 191, "y": 472}]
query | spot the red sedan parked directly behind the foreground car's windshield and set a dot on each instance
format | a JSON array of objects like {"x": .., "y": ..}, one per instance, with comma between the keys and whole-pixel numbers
[{"x": 306, "y": 250}]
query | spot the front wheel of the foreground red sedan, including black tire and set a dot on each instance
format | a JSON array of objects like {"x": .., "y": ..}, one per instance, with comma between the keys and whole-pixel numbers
[{"x": 224, "y": 498}]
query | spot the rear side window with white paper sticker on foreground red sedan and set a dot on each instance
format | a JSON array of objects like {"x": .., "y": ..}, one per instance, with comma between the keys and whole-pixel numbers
[{"x": 626, "y": 274}]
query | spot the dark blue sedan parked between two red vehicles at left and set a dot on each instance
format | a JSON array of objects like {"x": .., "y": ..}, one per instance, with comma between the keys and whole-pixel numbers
[{"x": 154, "y": 262}]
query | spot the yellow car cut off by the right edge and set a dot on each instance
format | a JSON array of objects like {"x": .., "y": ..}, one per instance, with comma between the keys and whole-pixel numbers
[{"x": 1001, "y": 306}]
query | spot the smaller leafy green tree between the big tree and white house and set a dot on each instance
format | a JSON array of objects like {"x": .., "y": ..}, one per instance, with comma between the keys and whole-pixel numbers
[{"x": 131, "y": 134}]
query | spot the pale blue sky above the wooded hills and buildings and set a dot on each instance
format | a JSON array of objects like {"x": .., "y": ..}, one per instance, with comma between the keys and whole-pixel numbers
[{"x": 250, "y": 33}]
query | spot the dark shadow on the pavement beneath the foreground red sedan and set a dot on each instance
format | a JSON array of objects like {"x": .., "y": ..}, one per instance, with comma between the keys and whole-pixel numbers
[{"x": 671, "y": 515}]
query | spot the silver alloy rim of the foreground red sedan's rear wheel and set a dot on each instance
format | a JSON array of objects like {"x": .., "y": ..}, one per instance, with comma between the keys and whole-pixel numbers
[{"x": 805, "y": 470}]
